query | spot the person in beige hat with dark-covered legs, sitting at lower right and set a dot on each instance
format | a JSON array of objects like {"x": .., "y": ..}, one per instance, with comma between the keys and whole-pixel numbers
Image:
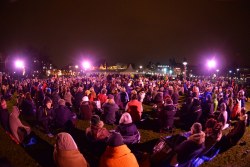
[{"x": 190, "y": 148}]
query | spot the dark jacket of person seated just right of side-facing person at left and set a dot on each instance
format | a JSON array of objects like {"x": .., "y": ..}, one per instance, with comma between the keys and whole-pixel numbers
[{"x": 62, "y": 116}]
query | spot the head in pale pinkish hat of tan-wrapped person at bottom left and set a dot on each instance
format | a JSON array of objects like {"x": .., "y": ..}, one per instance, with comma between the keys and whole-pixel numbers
[{"x": 65, "y": 142}]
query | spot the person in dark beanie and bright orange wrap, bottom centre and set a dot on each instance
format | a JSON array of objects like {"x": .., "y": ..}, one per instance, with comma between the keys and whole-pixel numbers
[{"x": 117, "y": 154}]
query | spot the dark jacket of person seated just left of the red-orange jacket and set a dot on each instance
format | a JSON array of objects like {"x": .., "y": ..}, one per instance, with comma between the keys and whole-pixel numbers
[{"x": 110, "y": 110}]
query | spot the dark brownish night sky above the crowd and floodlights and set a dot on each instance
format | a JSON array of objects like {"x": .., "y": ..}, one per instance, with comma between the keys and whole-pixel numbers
[{"x": 128, "y": 31}]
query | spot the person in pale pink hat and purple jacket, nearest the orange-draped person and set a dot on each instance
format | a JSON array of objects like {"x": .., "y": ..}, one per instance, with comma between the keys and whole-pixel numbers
[{"x": 128, "y": 130}]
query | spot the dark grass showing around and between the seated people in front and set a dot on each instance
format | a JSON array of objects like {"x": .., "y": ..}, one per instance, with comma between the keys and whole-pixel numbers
[{"x": 40, "y": 154}]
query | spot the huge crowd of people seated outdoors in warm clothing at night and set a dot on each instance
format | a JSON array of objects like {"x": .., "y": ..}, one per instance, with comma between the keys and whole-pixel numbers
[{"x": 202, "y": 107}]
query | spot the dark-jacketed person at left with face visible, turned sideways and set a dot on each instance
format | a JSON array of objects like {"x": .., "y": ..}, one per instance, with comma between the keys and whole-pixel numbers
[{"x": 45, "y": 116}]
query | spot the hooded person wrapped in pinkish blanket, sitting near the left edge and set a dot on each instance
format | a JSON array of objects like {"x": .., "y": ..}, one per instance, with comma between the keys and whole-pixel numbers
[{"x": 18, "y": 130}]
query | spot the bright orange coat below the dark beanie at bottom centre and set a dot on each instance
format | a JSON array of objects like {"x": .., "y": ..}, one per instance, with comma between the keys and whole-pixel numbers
[{"x": 119, "y": 156}]
